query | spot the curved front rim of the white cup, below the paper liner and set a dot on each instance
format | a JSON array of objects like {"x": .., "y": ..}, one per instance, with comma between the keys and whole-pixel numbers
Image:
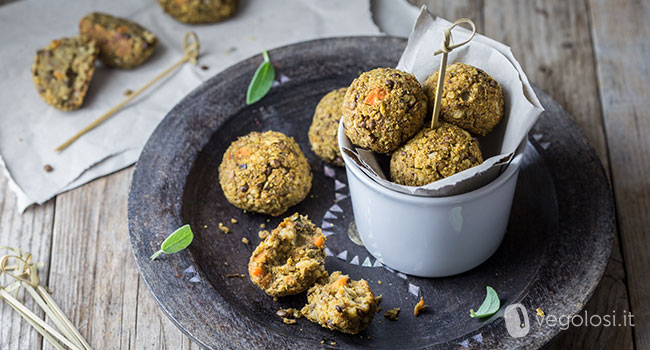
[{"x": 482, "y": 191}]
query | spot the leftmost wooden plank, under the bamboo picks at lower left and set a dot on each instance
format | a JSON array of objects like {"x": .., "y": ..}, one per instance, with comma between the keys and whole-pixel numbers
[{"x": 32, "y": 232}]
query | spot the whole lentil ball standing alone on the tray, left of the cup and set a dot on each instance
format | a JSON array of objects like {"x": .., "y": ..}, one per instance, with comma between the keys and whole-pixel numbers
[{"x": 265, "y": 173}]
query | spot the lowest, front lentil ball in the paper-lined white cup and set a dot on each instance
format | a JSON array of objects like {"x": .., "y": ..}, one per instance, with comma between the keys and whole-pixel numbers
[{"x": 434, "y": 154}]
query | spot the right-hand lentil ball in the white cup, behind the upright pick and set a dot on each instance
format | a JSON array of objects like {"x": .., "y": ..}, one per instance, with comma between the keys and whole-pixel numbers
[{"x": 471, "y": 98}]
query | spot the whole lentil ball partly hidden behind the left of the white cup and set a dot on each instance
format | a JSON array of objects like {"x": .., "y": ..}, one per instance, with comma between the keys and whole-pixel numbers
[{"x": 325, "y": 125}]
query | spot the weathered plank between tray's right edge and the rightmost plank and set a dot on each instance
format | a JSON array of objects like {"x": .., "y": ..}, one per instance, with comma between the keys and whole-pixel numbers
[{"x": 551, "y": 39}]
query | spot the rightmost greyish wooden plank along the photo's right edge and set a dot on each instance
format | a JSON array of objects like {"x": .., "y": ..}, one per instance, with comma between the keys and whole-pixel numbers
[{"x": 620, "y": 30}]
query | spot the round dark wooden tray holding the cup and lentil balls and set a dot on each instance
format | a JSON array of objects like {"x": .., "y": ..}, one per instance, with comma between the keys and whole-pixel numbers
[{"x": 556, "y": 248}]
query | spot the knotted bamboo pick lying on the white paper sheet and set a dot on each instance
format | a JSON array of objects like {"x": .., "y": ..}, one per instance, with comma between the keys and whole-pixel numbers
[{"x": 191, "y": 49}]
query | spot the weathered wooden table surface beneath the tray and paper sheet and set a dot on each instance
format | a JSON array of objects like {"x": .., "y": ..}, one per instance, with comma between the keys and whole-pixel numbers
[{"x": 590, "y": 55}]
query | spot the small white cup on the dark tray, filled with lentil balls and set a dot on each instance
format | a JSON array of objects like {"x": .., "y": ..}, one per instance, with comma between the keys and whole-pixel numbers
[{"x": 431, "y": 236}]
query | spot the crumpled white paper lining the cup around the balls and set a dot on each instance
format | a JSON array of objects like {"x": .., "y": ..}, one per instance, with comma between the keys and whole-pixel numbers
[{"x": 522, "y": 108}]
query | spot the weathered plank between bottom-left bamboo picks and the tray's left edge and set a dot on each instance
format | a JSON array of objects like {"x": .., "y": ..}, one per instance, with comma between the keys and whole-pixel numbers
[{"x": 93, "y": 273}]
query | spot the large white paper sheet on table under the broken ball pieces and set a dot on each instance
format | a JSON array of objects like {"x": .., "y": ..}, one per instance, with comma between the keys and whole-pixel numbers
[{"x": 30, "y": 129}]
